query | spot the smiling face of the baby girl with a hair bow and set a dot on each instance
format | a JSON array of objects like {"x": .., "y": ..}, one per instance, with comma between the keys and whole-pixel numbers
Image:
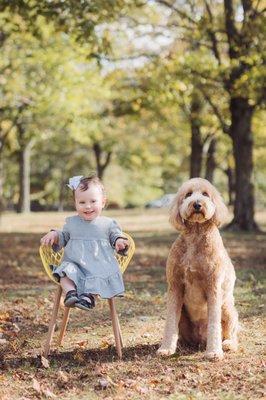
[{"x": 89, "y": 203}]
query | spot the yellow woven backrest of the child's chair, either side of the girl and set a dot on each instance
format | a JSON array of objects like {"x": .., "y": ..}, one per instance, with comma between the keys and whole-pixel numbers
[{"x": 49, "y": 257}]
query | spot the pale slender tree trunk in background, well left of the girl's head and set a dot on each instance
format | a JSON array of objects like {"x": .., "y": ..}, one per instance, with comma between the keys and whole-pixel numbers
[{"x": 24, "y": 178}]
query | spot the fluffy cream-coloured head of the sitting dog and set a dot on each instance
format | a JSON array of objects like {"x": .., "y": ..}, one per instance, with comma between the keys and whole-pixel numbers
[{"x": 197, "y": 200}]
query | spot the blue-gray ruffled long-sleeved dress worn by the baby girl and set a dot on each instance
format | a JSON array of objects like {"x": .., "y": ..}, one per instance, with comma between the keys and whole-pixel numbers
[{"x": 89, "y": 258}]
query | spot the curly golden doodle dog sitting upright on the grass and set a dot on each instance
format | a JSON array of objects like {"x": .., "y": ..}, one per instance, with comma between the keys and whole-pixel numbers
[{"x": 200, "y": 275}]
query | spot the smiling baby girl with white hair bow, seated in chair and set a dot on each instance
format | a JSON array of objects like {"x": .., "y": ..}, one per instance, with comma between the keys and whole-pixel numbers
[{"x": 89, "y": 266}]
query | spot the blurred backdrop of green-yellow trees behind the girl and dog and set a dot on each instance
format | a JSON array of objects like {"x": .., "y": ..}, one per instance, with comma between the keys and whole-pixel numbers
[{"x": 145, "y": 93}]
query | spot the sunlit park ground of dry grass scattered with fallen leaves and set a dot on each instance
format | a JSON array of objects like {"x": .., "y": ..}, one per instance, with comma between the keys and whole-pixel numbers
[{"x": 87, "y": 366}]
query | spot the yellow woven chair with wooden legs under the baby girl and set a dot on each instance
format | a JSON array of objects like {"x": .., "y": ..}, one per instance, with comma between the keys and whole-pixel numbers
[{"x": 50, "y": 257}]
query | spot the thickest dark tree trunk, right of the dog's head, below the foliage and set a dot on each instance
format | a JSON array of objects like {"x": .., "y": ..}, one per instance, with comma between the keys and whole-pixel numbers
[{"x": 240, "y": 132}]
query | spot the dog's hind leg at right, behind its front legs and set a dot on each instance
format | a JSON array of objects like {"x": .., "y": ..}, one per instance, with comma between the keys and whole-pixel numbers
[{"x": 229, "y": 326}]
